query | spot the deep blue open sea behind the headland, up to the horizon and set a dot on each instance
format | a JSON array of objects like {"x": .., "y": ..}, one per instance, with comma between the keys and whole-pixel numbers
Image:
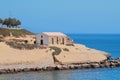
[{"x": 106, "y": 42}]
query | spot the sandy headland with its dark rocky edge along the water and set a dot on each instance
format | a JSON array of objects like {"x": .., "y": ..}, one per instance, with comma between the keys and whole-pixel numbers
[{"x": 53, "y": 57}]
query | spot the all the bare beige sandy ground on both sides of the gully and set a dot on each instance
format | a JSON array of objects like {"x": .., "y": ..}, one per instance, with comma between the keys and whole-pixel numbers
[{"x": 43, "y": 57}]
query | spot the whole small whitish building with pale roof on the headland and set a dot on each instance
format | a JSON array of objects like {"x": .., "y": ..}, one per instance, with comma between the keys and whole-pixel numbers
[{"x": 51, "y": 38}]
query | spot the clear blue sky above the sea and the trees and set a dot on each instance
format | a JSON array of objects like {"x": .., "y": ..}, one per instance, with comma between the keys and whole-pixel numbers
[{"x": 68, "y": 16}]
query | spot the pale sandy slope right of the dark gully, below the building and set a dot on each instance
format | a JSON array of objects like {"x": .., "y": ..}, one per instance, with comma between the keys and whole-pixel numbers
[{"x": 80, "y": 54}]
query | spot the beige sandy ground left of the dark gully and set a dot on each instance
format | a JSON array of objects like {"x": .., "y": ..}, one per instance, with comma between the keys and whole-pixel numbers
[{"x": 10, "y": 56}]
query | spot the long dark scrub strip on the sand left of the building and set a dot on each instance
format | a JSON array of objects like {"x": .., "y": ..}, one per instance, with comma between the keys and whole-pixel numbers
[{"x": 21, "y": 46}]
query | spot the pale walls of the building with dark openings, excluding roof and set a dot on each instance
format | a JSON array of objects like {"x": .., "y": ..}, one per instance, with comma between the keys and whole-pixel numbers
[{"x": 51, "y": 40}]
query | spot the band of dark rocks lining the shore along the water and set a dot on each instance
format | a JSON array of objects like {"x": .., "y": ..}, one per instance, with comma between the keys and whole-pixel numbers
[{"x": 111, "y": 63}]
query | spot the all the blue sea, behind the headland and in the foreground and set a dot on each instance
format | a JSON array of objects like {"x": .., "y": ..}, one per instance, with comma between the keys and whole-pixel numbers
[{"x": 109, "y": 43}]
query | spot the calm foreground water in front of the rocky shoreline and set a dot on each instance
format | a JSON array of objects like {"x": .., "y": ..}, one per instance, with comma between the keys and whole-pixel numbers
[{"x": 86, "y": 74}]
